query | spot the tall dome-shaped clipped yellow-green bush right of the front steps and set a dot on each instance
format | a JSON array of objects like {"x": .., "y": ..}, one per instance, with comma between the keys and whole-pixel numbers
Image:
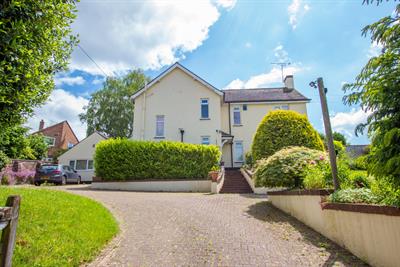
[{"x": 283, "y": 128}]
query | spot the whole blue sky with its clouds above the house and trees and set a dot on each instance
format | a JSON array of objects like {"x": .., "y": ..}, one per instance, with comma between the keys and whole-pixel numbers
[{"x": 228, "y": 43}]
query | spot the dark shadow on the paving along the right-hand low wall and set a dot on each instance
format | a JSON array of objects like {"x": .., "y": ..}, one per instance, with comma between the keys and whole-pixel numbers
[{"x": 290, "y": 226}]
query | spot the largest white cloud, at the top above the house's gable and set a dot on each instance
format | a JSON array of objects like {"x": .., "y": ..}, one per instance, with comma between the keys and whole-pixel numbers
[{"x": 141, "y": 34}]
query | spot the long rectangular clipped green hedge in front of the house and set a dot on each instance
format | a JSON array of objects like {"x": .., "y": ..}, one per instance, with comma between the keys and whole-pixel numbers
[{"x": 123, "y": 159}]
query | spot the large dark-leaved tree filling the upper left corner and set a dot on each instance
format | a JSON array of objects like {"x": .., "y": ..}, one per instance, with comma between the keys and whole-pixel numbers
[{"x": 35, "y": 43}]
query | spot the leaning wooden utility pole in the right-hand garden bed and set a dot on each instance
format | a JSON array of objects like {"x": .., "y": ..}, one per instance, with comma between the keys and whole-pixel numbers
[{"x": 328, "y": 132}]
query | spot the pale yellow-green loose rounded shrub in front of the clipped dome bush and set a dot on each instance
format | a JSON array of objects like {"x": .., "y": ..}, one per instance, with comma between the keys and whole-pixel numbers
[{"x": 286, "y": 168}]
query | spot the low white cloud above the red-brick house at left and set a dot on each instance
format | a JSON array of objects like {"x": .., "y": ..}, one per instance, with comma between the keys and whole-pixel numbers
[{"x": 61, "y": 106}]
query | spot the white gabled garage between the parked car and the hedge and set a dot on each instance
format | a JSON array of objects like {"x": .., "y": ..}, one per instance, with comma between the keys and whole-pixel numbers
[{"x": 80, "y": 157}]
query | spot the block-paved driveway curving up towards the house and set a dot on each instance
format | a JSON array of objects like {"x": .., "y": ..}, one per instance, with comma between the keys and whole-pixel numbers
[{"x": 194, "y": 229}]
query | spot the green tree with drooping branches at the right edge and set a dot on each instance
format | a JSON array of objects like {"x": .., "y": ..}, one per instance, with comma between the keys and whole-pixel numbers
[{"x": 377, "y": 90}]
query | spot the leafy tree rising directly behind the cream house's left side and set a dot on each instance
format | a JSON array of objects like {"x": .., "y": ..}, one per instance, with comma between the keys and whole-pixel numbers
[{"x": 110, "y": 110}]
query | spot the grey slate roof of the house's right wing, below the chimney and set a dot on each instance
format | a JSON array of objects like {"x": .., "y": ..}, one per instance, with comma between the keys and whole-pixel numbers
[{"x": 262, "y": 95}]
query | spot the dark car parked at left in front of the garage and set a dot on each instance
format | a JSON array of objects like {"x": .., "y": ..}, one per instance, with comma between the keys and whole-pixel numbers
[{"x": 57, "y": 174}]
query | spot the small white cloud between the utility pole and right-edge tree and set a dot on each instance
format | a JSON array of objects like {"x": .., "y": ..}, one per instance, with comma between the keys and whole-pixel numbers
[{"x": 346, "y": 122}]
